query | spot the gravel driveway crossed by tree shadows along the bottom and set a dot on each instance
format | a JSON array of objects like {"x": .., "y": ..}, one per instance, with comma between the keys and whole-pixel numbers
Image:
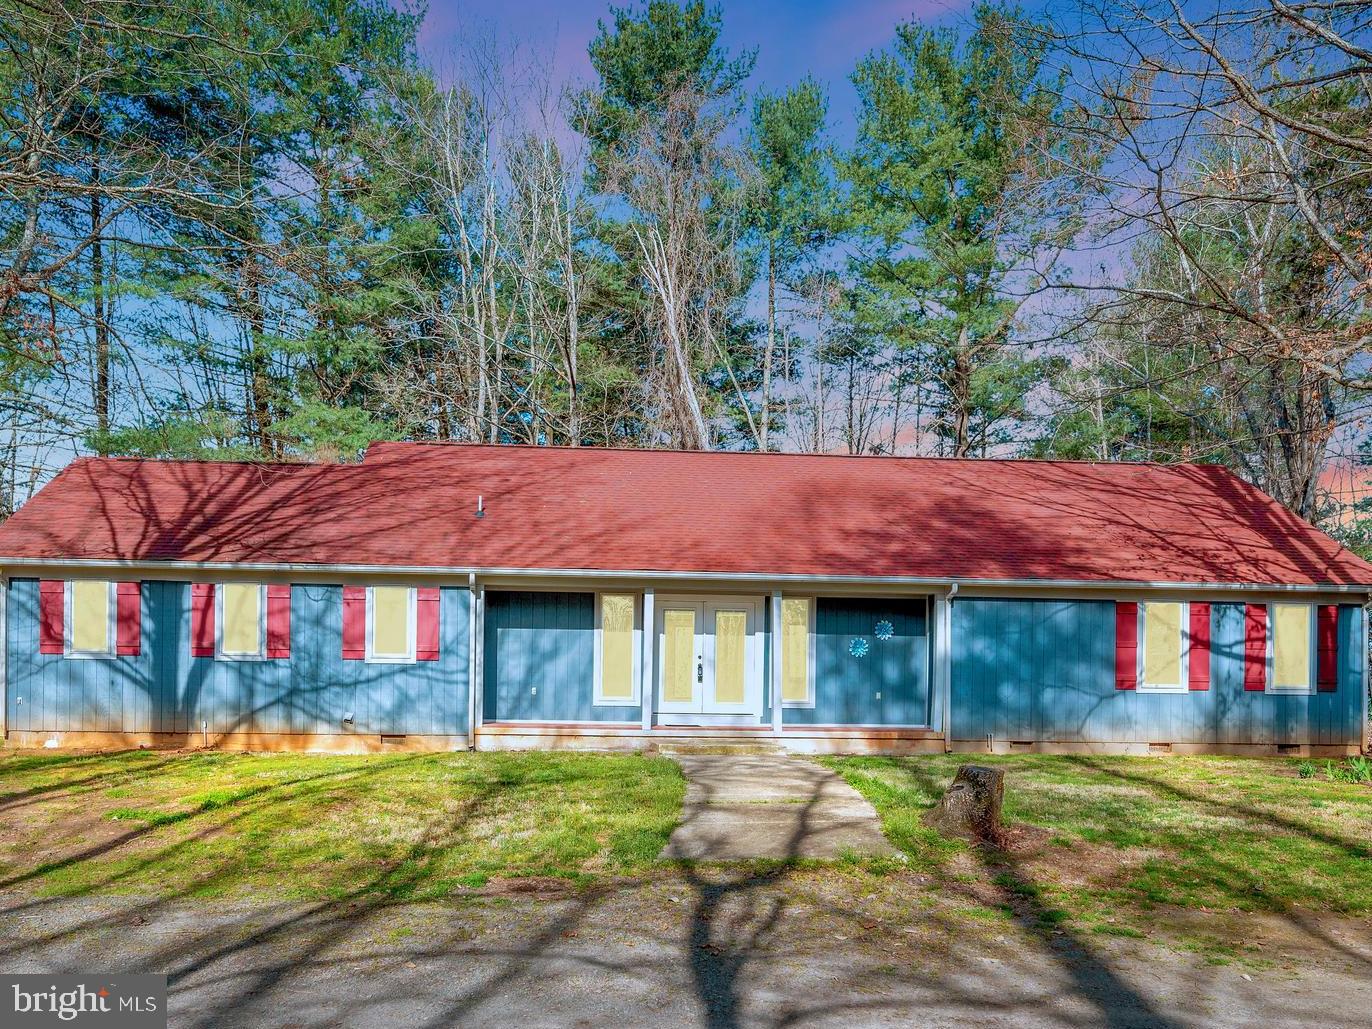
[{"x": 687, "y": 949}]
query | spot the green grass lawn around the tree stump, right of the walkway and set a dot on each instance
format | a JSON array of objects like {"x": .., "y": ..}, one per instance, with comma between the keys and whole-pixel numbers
[{"x": 1104, "y": 833}]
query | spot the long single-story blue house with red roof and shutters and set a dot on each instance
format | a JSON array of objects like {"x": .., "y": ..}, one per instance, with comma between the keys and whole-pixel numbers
[{"x": 448, "y": 596}]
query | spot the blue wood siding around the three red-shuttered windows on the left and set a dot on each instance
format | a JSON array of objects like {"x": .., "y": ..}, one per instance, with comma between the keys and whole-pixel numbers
[{"x": 167, "y": 691}]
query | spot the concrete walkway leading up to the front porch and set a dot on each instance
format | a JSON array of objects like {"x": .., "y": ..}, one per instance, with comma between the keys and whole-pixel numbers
[{"x": 770, "y": 806}]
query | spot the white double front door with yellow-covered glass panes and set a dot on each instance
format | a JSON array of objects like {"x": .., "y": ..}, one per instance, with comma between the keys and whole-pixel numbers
[{"x": 710, "y": 657}]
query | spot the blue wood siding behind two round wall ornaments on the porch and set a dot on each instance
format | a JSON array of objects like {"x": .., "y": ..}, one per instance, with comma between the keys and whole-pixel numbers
[{"x": 887, "y": 687}]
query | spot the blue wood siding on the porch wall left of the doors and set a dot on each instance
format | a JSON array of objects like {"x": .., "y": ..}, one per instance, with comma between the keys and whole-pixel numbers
[{"x": 541, "y": 659}]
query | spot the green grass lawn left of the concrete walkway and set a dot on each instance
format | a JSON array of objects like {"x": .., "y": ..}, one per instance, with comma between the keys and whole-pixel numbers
[{"x": 327, "y": 827}]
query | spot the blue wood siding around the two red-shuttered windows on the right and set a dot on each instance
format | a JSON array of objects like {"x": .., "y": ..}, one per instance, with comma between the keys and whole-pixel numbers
[{"x": 1043, "y": 670}]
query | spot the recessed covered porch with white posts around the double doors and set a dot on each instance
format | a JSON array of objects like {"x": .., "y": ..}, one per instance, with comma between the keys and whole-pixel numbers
[{"x": 807, "y": 667}]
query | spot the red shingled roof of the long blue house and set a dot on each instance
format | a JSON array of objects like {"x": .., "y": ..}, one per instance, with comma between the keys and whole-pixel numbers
[{"x": 555, "y": 508}]
